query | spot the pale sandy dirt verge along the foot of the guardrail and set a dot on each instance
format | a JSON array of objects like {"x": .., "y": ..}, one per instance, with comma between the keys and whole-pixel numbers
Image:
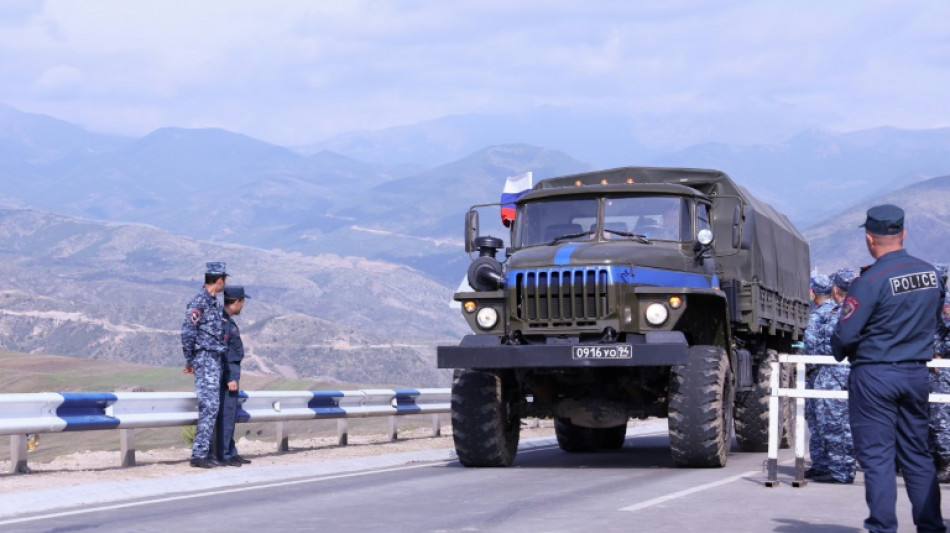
[{"x": 102, "y": 466}]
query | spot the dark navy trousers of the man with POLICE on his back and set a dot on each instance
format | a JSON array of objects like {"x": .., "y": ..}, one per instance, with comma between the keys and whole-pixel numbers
[{"x": 888, "y": 408}]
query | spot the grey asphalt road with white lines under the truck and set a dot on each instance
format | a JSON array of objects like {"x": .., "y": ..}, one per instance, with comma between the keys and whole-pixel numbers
[{"x": 632, "y": 489}]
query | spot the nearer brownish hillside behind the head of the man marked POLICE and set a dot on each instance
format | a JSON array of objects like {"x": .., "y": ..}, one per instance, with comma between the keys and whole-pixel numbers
[{"x": 839, "y": 241}]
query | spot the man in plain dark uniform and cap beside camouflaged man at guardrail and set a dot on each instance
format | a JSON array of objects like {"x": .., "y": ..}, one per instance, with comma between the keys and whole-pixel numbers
[{"x": 225, "y": 450}]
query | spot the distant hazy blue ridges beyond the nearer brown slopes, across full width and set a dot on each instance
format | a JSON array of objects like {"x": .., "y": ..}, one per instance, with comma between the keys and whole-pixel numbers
[{"x": 215, "y": 185}]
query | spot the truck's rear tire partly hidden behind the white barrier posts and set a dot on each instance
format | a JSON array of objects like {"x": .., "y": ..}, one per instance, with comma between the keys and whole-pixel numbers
[{"x": 752, "y": 409}]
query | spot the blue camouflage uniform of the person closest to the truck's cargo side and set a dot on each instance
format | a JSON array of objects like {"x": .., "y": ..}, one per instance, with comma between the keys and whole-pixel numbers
[{"x": 817, "y": 342}]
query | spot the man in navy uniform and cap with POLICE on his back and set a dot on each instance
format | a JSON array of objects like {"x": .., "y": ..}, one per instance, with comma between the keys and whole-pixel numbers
[{"x": 886, "y": 331}]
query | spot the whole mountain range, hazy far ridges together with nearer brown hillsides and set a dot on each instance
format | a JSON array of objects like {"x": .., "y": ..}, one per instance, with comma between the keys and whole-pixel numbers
[{"x": 355, "y": 244}]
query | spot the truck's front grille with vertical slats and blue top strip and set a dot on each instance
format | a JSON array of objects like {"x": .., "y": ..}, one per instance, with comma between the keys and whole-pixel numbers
[{"x": 561, "y": 298}]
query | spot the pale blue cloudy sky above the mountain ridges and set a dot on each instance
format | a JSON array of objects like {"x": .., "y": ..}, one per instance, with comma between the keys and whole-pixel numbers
[{"x": 294, "y": 72}]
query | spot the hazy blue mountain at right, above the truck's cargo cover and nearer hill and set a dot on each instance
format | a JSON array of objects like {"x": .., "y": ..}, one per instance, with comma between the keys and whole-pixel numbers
[{"x": 816, "y": 173}]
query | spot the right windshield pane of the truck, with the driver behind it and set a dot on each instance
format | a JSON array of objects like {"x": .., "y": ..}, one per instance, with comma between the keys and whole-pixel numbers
[{"x": 663, "y": 218}]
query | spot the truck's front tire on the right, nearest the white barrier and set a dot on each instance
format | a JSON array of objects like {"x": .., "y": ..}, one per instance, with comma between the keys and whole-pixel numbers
[{"x": 700, "y": 408}]
